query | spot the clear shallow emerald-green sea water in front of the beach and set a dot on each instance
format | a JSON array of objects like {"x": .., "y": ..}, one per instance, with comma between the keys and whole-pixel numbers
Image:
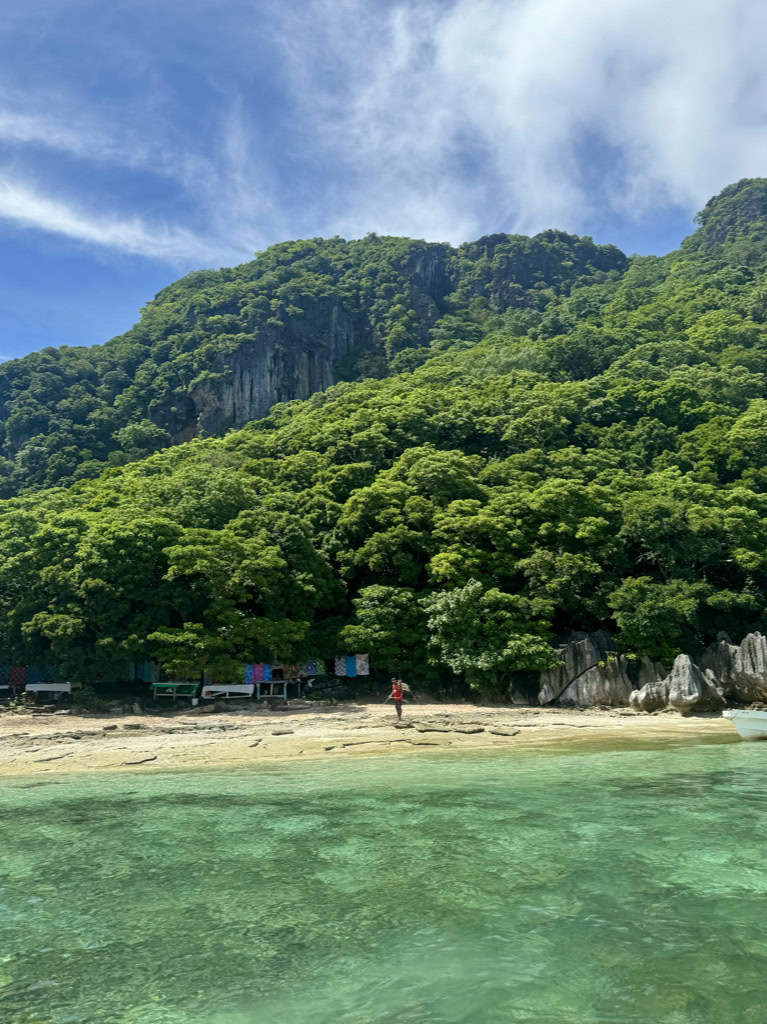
[{"x": 607, "y": 887}]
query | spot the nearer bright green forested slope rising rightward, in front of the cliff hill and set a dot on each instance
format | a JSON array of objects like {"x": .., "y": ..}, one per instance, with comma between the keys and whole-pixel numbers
[{"x": 600, "y": 460}]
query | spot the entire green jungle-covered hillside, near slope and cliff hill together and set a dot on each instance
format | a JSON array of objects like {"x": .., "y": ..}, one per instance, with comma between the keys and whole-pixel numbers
[{"x": 449, "y": 458}]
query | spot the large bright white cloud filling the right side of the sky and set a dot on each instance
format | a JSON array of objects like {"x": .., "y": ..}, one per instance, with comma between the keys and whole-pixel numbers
[{"x": 573, "y": 108}]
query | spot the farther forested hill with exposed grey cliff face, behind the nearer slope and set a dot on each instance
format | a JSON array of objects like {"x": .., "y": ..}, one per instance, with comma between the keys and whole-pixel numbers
[{"x": 220, "y": 349}]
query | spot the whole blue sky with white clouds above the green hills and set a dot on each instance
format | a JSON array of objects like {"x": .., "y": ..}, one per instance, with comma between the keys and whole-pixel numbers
[{"x": 146, "y": 139}]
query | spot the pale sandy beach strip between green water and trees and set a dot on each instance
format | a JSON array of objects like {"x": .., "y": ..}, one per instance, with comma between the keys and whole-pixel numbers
[{"x": 56, "y": 744}]
